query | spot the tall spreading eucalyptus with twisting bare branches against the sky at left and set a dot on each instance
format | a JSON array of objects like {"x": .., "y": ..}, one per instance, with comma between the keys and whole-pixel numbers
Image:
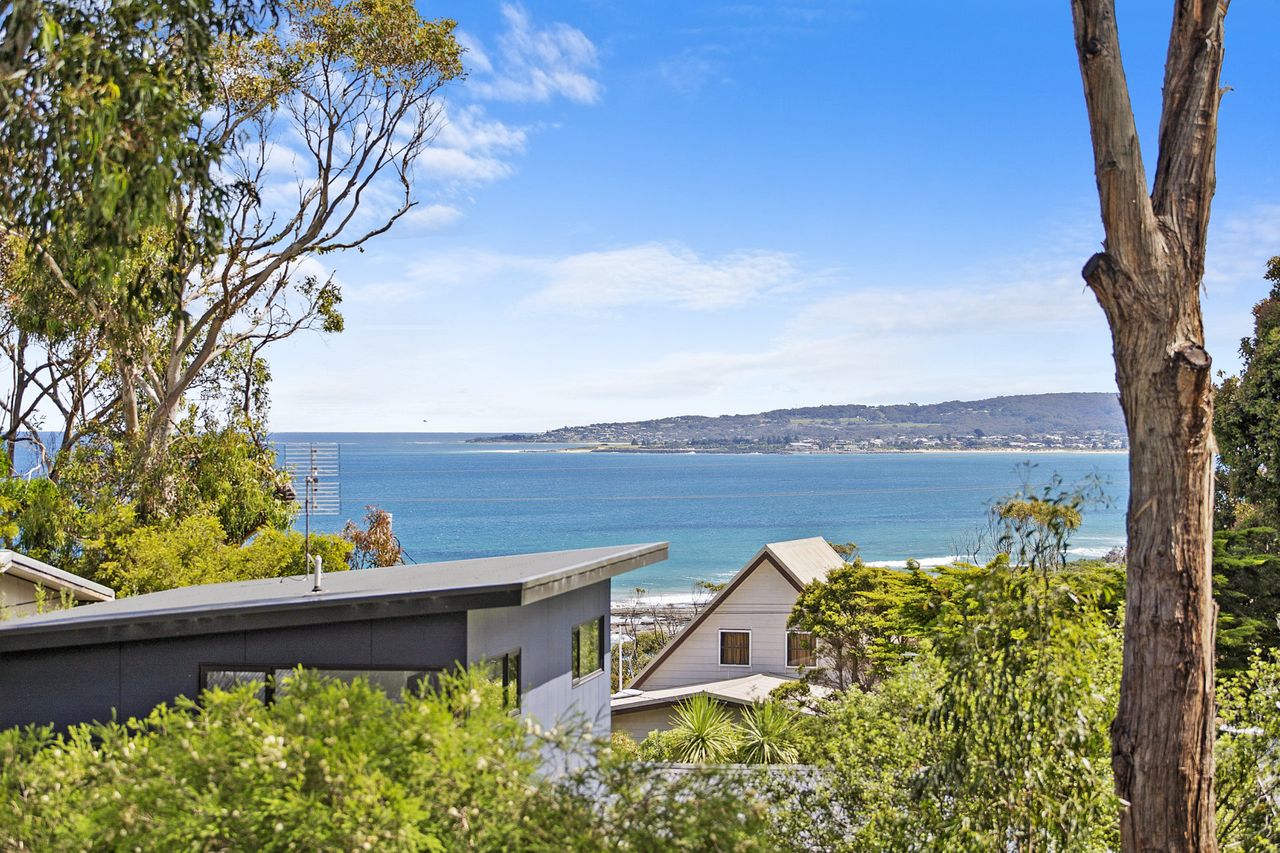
[{"x": 354, "y": 86}]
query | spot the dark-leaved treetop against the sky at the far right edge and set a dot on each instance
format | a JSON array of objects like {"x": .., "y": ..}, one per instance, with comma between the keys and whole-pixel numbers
[{"x": 1247, "y": 423}]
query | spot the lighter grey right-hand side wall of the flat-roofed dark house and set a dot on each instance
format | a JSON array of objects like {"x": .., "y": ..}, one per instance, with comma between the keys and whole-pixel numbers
[{"x": 542, "y": 632}]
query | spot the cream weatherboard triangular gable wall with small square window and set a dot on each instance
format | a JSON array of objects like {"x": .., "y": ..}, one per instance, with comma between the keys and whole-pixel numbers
[{"x": 761, "y": 604}]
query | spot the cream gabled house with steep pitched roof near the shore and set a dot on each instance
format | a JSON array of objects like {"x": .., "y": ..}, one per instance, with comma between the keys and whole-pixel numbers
[{"x": 739, "y": 647}]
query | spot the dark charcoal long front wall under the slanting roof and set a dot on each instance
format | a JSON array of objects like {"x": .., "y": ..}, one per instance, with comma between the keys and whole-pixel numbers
[{"x": 79, "y": 685}]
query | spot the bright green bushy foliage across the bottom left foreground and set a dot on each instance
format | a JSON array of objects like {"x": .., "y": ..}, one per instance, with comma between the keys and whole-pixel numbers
[{"x": 331, "y": 767}]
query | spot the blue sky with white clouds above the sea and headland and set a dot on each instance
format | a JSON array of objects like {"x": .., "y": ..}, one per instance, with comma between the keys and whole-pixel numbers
[{"x": 642, "y": 209}]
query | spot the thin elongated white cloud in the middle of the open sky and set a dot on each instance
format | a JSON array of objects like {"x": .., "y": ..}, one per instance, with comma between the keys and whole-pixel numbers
[{"x": 664, "y": 275}]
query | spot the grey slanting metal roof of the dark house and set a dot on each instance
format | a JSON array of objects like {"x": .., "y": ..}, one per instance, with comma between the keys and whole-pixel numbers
[{"x": 367, "y": 594}]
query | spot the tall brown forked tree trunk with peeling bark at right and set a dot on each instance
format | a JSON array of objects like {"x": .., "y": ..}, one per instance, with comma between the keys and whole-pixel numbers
[{"x": 1148, "y": 281}]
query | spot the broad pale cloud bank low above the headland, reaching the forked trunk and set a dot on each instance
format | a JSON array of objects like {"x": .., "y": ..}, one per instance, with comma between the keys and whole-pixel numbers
[{"x": 885, "y": 345}]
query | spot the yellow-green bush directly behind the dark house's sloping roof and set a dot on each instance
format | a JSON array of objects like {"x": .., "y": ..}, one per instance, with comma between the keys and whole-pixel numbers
[{"x": 195, "y": 551}]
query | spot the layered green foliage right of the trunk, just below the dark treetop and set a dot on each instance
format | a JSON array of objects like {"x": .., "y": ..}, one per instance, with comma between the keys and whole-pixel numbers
[{"x": 1247, "y": 589}]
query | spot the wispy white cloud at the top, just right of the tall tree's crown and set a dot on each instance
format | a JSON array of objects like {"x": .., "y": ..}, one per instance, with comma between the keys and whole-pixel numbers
[{"x": 536, "y": 63}]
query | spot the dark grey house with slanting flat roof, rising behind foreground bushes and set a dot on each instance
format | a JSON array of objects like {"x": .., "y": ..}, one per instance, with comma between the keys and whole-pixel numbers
[{"x": 540, "y": 621}]
